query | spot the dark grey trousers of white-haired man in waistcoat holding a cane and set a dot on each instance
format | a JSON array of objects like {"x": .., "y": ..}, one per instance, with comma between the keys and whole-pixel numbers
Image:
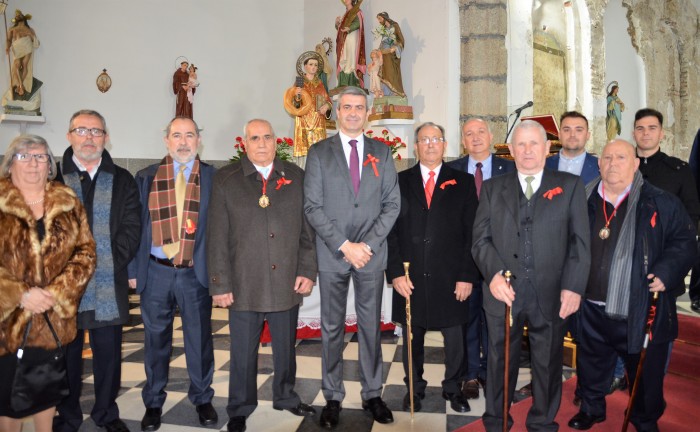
[{"x": 546, "y": 347}]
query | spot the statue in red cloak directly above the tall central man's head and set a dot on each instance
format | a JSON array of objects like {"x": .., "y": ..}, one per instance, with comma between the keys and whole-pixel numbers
[{"x": 350, "y": 46}]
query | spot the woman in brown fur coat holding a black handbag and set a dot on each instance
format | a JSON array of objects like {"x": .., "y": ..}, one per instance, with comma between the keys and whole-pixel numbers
[{"x": 47, "y": 256}]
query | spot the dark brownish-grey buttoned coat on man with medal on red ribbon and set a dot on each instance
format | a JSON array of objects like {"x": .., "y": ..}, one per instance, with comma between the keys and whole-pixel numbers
[{"x": 253, "y": 252}]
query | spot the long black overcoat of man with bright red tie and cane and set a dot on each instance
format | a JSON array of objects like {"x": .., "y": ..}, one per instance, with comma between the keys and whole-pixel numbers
[{"x": 437, "y": 242}]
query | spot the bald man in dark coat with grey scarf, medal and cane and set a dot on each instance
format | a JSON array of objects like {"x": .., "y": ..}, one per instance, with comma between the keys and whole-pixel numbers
[{"x": 642, "y": 241}]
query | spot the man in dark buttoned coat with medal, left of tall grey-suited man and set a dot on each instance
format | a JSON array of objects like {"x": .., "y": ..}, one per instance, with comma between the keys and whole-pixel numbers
[{"x": 262, "y": 261}]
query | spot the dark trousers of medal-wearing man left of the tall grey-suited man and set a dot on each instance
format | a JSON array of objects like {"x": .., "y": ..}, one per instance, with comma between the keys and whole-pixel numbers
[{"x": 245, "y": 329}]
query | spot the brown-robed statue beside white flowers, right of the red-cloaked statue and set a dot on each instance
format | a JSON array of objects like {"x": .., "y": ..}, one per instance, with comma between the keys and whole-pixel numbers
[{"x": 391, "y": 47}]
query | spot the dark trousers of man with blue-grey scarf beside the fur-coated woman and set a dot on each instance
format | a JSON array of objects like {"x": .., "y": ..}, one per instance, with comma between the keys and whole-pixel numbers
[{"x": 106, "y": 345}]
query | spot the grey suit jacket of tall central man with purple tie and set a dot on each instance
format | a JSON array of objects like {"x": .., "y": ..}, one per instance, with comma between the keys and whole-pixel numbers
[{"x": 334, "y": 211}]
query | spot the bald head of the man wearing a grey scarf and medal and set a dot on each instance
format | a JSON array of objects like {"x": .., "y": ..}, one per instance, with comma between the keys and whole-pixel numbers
[{"x": 618, "y": 163}]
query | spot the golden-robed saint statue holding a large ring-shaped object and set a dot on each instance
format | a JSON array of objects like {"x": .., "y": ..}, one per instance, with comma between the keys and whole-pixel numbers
[{"x": 309, "y": 103}]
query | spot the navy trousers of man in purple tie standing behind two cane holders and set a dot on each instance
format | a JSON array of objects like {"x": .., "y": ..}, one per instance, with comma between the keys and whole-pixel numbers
[{"x": 476, "y": 336}]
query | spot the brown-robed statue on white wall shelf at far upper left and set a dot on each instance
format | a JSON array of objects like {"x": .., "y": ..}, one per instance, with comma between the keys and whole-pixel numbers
[{"x": 23, "y": 96}]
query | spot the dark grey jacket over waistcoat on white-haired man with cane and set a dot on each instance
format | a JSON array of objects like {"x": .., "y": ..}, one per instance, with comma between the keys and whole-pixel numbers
[{"x": 561, "y": 238}]
